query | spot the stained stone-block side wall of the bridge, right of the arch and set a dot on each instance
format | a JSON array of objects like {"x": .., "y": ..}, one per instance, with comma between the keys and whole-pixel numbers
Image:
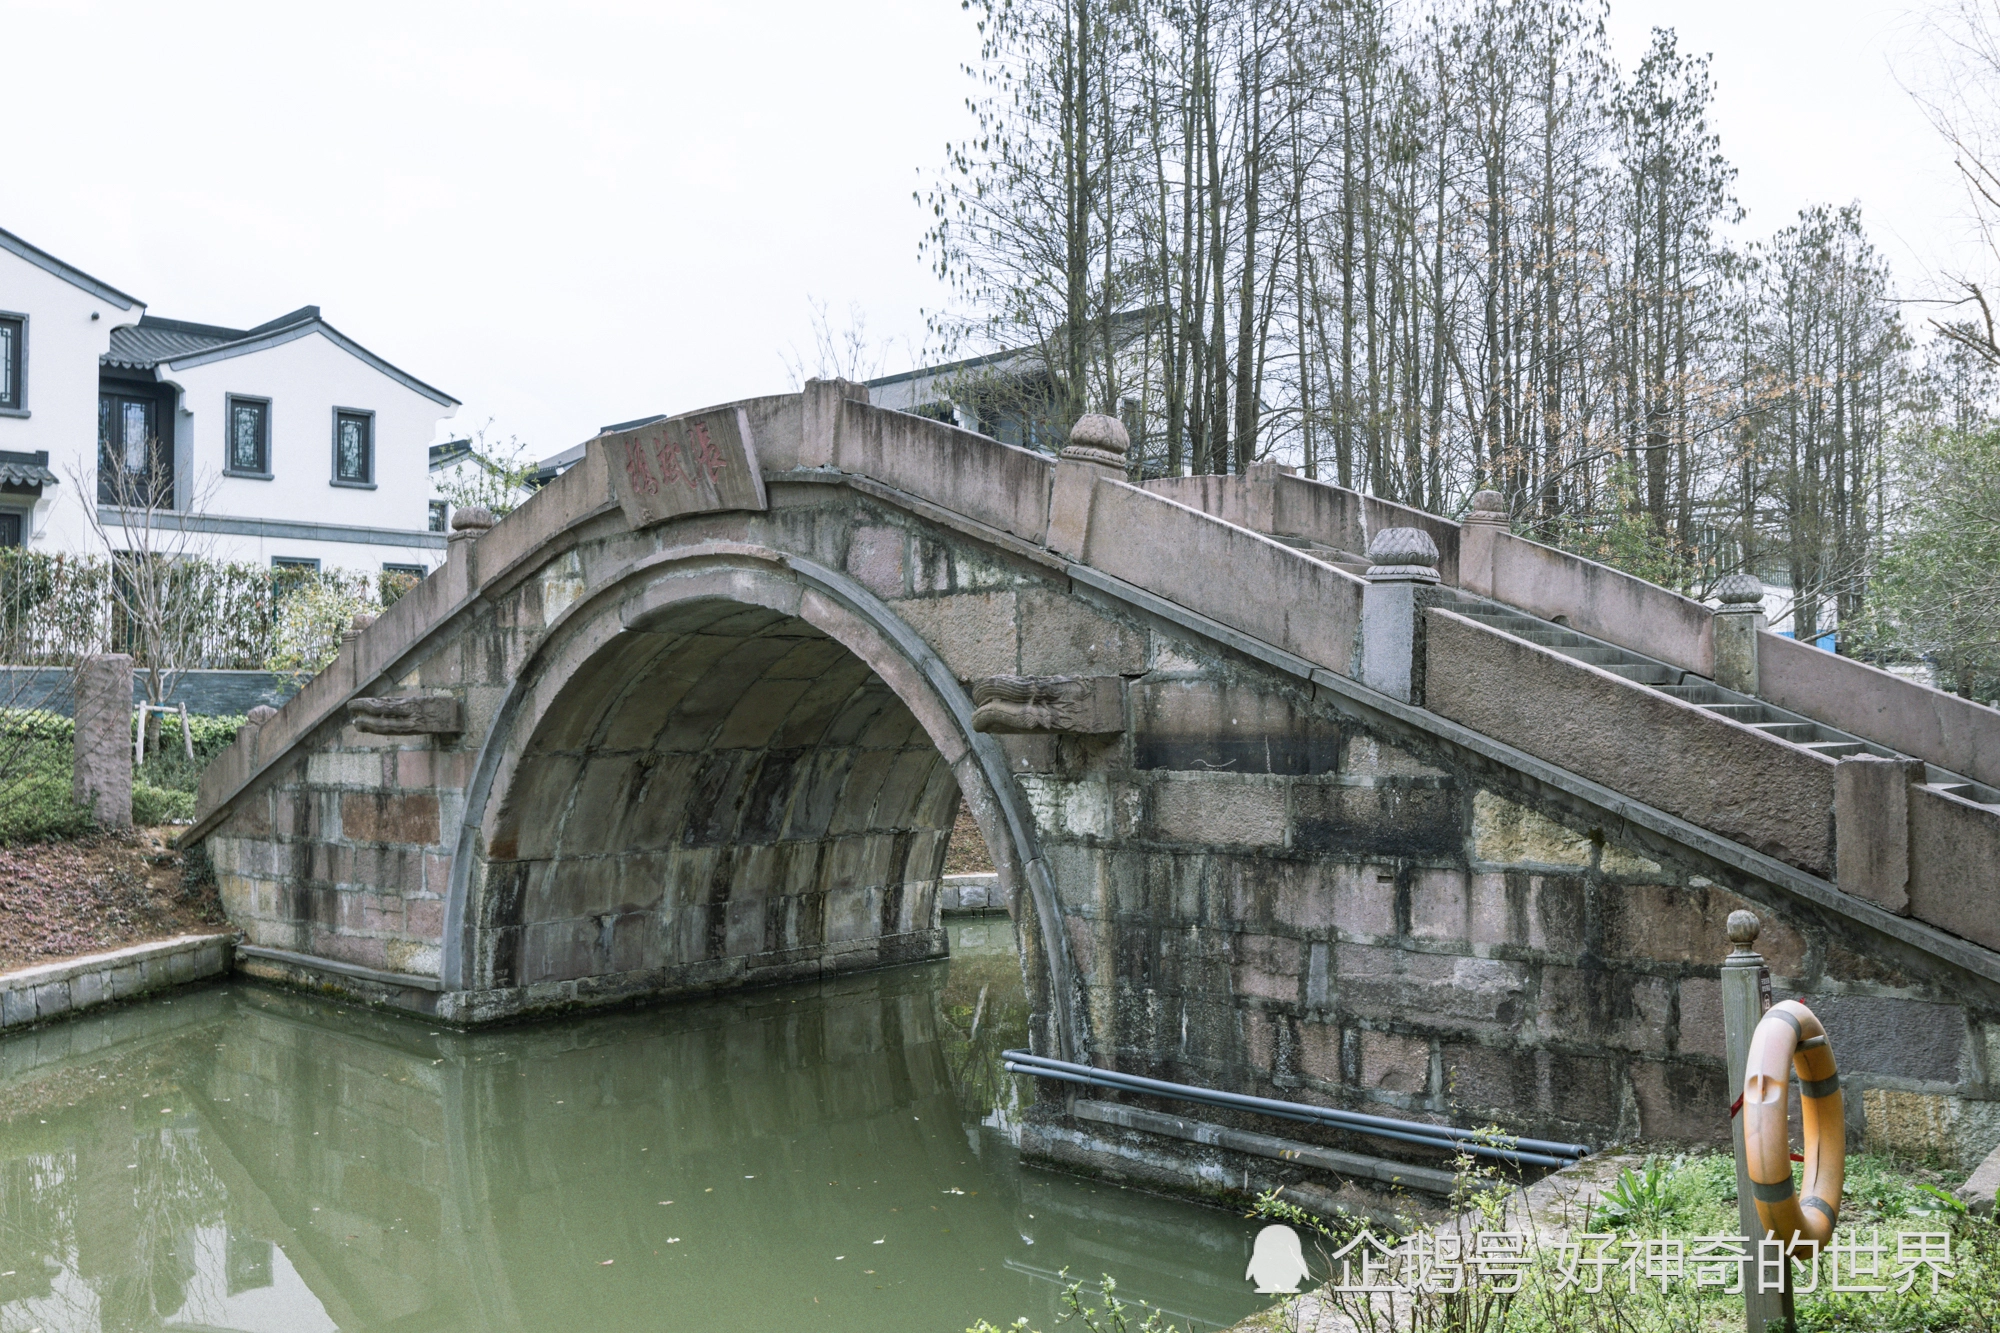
[{"x": 1281, "y": 900}]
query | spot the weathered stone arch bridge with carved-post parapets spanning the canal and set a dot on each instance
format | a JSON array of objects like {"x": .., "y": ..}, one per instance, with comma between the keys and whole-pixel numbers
[{"x": 1449, "y": 830}]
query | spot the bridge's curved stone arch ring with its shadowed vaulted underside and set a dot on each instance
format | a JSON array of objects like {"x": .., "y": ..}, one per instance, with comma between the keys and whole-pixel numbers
[{"x": 717, "y": 760}]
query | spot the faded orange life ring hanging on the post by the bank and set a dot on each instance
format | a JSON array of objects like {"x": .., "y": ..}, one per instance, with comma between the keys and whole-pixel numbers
[{"x": 1787, "y": 1038}]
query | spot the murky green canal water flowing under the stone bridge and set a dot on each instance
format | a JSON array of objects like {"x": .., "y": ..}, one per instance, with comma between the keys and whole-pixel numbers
[{"x": 813, "y": 1158}]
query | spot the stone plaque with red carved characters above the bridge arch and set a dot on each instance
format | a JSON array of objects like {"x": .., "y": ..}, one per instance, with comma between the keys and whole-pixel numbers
[{"x": 685, "y": 465}]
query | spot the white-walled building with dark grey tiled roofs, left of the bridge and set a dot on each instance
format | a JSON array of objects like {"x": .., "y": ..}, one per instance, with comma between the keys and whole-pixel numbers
[{"x": 277, "y": 445}]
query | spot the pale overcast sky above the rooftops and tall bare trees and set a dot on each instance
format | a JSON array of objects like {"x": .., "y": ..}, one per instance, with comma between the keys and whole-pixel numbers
[{"x": 575, "y": 215}]
